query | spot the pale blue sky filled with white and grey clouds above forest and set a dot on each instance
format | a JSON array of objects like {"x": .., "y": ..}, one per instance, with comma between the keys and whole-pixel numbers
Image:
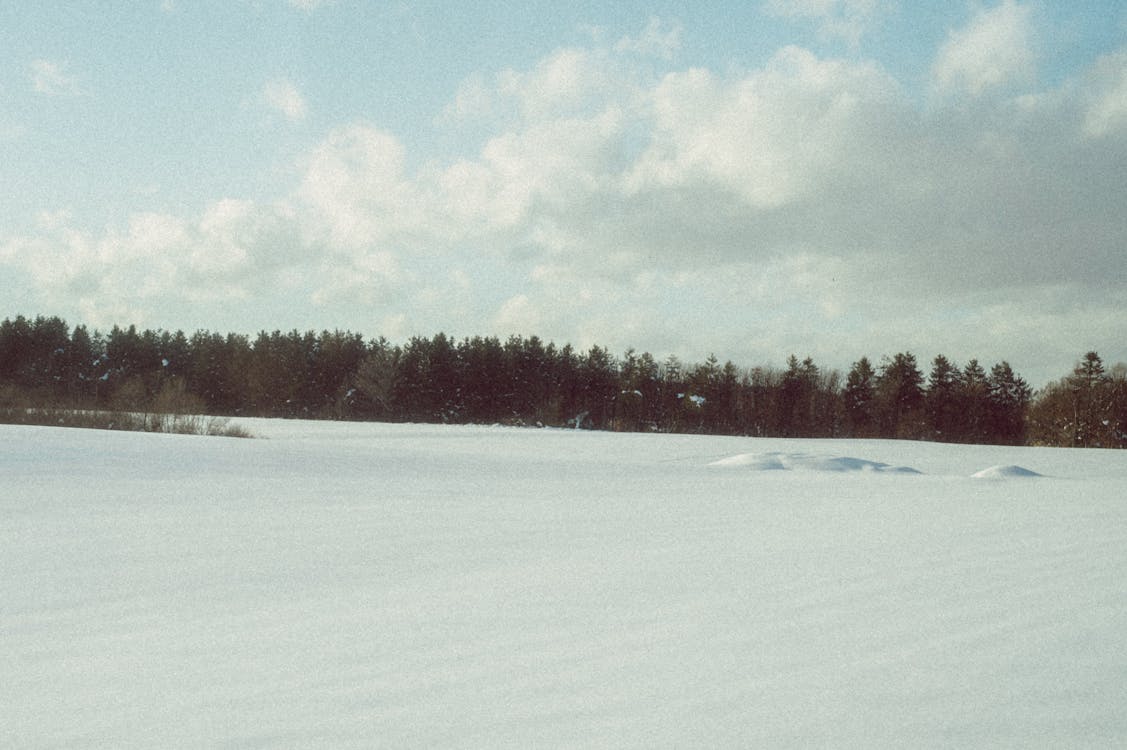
[{"x": 831, "y": 179}]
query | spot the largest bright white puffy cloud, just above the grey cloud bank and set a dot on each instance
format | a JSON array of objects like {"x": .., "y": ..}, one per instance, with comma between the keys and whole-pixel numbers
[{"x": 773, "y": 136}]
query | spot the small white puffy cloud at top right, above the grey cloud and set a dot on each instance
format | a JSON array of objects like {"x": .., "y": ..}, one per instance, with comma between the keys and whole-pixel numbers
[{"x": 995, "y": 49}]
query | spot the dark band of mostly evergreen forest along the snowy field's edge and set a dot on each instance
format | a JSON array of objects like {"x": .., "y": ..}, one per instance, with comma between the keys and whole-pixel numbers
[{"x": 49, "y": 370}]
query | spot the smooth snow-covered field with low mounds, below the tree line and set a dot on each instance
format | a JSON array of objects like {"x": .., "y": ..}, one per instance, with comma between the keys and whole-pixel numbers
[{"x": 359, "y": 586}]
